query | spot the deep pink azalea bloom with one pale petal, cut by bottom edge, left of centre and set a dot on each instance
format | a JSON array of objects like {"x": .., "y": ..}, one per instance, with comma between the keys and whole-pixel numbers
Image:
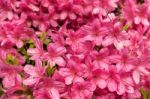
[{"x": 48, "y": 89}]
